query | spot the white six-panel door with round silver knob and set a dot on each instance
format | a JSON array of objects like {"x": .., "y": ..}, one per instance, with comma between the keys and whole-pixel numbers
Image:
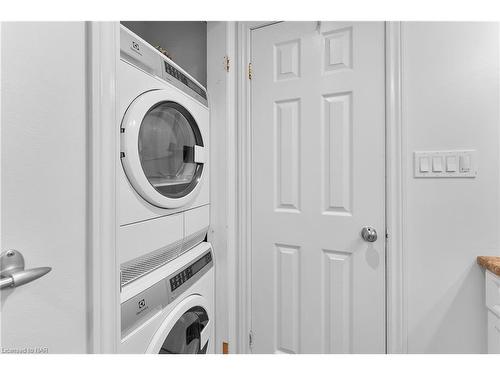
[{"x": 318, "y": 156}]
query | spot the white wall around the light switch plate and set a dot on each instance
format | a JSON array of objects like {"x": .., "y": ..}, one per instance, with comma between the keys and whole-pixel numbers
[{"x": 450, "y": 101}]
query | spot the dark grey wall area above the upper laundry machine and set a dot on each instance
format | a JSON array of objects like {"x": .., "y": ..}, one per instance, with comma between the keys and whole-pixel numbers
[{"x": 186, "y": 42}]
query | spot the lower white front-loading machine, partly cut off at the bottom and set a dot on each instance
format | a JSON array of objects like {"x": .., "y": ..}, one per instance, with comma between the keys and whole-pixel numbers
[{"x": 170, "y": 310}]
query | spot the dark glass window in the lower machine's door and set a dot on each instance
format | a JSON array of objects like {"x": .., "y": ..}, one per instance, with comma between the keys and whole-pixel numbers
[{"x": 185, "y": 335}]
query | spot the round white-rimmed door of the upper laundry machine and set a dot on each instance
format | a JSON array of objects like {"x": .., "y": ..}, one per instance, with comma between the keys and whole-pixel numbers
[{"x": 162, "y": 149}]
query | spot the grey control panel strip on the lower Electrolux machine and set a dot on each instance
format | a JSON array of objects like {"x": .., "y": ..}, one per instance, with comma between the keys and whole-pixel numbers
[{"x": 149, "y": 302}]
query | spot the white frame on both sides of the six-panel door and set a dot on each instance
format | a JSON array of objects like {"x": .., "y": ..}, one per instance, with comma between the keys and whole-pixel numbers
[{"x": 395, "y": 326}]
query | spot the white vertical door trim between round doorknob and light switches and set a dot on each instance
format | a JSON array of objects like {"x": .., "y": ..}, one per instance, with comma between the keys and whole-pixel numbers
[{"x": 396, "y": 334}]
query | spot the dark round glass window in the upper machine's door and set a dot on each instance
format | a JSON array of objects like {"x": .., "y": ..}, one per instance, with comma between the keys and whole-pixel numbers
[{"x": 169, "y": 140}]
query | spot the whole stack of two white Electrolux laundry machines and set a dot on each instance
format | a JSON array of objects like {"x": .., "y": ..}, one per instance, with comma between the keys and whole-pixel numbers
[{"x": 166, "y": 265}]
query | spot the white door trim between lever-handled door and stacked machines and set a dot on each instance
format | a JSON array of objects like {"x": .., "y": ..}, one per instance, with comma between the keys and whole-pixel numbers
[{"x": 103, "y": 53}]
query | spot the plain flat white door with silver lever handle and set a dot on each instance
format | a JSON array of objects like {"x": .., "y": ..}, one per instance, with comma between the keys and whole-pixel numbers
[{"x": 44, "y": 185}]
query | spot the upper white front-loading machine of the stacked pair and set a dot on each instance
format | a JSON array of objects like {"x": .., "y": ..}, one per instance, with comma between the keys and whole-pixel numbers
[{"x": 162, "y": 169}]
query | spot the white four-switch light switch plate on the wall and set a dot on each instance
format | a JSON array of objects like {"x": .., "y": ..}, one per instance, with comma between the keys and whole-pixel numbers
[{"x": 447, "y": 164}]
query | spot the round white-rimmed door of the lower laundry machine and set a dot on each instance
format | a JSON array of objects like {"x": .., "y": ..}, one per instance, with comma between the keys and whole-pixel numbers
[{"x": 186, "y": 330}]
